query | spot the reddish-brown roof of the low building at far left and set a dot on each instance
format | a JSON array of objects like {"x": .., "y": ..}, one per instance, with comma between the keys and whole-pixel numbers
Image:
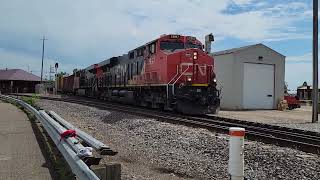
[{"x": 17, "y": 75}]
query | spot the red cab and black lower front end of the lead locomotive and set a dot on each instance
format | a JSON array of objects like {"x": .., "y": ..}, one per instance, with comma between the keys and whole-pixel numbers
[{"x": 180, "y": 63}]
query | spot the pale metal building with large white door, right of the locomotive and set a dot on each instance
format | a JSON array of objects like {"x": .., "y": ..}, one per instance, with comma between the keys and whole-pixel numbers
[{"x": 250, "y": 77}]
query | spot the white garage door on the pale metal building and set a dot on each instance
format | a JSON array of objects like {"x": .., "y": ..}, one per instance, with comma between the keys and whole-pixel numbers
[{"x": 258, "y": 86}]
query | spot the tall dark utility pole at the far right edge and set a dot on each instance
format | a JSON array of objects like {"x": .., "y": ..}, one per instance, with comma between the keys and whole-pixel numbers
[{"x": 315, "y": 63}]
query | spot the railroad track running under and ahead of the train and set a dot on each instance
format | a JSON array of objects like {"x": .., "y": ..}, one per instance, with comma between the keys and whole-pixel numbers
[{"x": 306, "y": 141}]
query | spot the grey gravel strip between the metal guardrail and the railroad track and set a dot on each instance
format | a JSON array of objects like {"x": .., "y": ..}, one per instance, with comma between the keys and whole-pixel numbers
[{"x": 149, "y": 149}]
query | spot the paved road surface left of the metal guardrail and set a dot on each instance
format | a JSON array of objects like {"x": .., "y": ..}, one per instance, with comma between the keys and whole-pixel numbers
[{"x": 20, "y": 154}]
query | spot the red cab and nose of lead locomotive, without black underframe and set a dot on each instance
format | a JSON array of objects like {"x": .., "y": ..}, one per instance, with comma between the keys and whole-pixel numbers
[{"x": 185, "y": 59}]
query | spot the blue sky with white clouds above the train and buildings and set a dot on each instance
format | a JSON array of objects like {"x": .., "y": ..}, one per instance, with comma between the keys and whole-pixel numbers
[{"x": 82, "y": 32}]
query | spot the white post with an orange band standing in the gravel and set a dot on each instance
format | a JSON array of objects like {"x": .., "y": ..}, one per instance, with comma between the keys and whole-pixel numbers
[{"x": 236, "y": 156}]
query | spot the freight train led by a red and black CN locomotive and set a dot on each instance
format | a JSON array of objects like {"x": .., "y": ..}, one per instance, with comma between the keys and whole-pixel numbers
[{"x": 172, "y": 72}]
